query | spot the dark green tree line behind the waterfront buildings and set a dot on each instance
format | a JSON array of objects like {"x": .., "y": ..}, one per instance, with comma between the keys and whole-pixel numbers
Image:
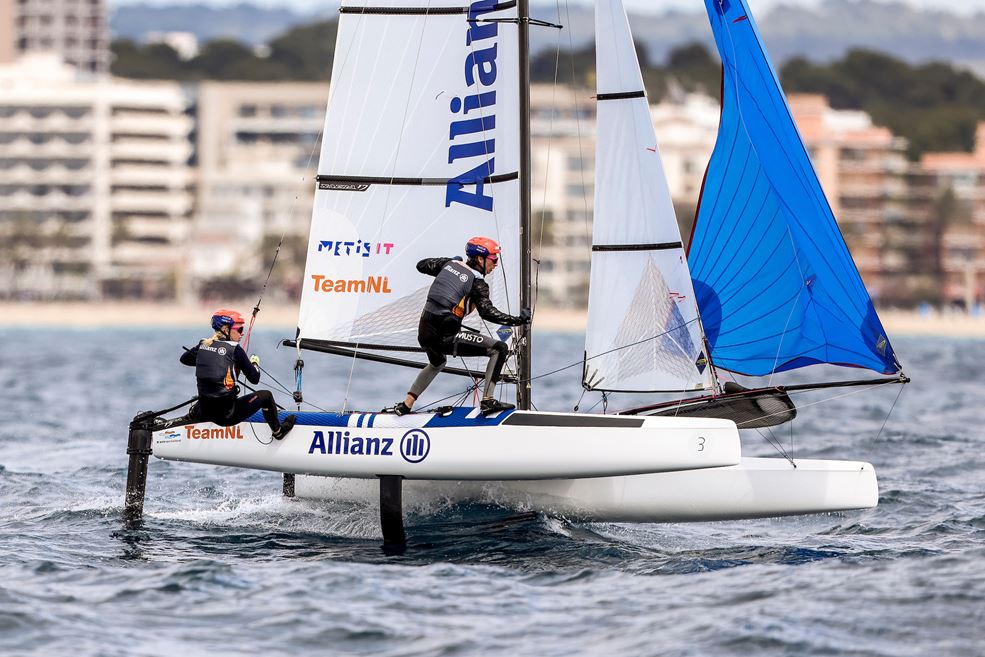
[{"x": 935, "y": 106}]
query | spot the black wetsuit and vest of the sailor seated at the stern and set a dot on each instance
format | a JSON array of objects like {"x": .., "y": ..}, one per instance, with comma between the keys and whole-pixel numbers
[{"x": 216, "y": 367}]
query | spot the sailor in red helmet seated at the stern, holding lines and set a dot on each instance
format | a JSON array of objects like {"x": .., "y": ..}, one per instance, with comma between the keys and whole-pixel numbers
[{"x": 218, "y": 361}]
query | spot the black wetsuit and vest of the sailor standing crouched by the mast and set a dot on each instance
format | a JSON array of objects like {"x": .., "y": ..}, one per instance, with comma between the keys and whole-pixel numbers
[{"x": 456, "y": 291}]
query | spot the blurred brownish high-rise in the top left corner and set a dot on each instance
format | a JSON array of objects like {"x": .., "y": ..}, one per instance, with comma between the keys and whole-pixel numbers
[{"x": 76, "y": 30}]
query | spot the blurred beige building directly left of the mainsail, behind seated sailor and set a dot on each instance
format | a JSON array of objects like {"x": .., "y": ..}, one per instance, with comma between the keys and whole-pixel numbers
[{"x": 257, "y": 149}]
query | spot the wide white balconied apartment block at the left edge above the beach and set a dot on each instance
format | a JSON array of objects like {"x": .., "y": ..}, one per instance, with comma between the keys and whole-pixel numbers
[{"x": 96, "y": 197}]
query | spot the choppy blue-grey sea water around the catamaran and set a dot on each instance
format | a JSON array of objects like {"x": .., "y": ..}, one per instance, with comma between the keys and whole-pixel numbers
[{"x": 225, "y": 565}]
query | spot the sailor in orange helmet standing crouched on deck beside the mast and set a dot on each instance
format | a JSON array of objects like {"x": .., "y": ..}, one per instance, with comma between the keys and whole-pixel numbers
[{"x": 458, "y": 288}]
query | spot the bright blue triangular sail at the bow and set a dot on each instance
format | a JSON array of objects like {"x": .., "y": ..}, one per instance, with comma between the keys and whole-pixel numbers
[{"x": 774, "y": 280}]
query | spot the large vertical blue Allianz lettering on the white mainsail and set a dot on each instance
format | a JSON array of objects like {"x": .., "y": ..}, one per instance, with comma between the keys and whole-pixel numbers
[{"x": 474, "y": 117}]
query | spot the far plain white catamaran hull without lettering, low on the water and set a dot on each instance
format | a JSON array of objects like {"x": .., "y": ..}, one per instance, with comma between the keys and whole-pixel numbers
[{"x": 754, "y": 488}]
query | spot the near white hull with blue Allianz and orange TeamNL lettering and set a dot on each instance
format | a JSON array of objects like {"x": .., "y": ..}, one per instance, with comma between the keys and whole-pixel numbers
[{"x": 462, "y": 445}]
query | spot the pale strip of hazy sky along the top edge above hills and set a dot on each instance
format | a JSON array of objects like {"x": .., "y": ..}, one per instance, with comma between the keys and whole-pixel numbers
[{"x": 759, "y": 6}]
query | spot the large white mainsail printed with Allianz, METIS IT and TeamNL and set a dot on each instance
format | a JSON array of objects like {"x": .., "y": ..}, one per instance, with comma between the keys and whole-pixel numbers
[{"x": 420, "y": 98}]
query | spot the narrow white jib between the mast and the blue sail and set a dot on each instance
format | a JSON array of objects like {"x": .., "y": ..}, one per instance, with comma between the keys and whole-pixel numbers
[{"x": 643, "y": 330}]
